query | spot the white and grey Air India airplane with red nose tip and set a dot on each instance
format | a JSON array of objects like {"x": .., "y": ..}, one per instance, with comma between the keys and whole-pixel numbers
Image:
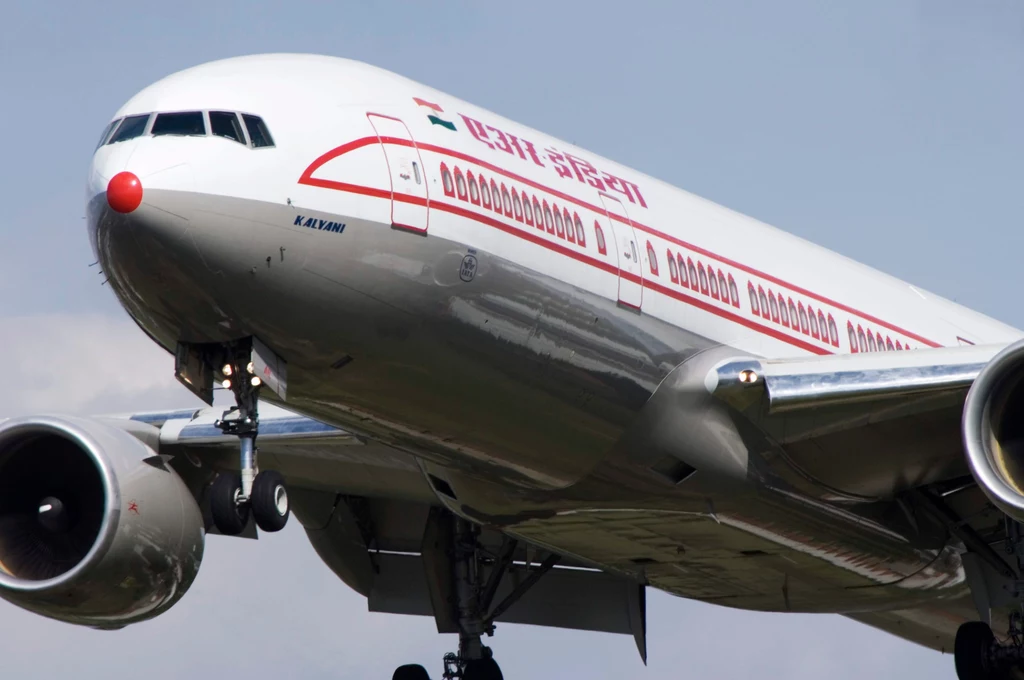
[{"x": 500, "y": 379}]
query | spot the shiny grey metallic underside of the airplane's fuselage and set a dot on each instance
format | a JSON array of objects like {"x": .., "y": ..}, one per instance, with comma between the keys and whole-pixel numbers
[{"x": 561, "y": 417}]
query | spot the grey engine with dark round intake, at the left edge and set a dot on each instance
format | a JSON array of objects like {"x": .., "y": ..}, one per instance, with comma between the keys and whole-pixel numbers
[{"x": 96, "y": 529}]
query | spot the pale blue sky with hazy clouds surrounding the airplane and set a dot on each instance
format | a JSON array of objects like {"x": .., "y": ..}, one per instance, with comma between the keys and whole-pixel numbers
[{"x": 889, "y": 132}]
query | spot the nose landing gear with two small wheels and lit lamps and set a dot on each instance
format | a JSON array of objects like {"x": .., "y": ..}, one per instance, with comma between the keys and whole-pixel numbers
[{"x": 234, "y": 497}]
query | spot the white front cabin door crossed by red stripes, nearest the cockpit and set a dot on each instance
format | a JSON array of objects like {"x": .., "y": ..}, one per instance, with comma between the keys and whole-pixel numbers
[{"x": 409, "y": 183}]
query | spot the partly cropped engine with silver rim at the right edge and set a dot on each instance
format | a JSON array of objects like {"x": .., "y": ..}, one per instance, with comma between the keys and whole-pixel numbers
[{"x": 994, "y": 431}]
